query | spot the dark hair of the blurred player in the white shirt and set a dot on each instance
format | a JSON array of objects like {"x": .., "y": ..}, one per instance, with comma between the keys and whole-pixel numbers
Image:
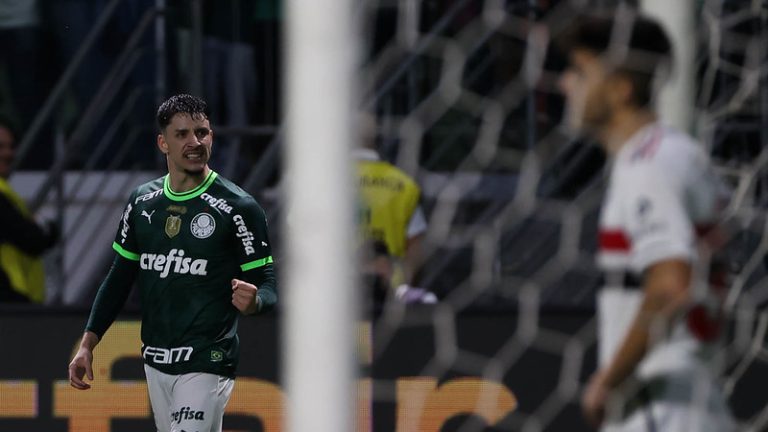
[{"x": 635, "y": 45}]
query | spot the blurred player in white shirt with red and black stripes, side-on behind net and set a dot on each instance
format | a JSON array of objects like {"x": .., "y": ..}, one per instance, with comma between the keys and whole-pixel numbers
[{"x": 655, "y": 339}]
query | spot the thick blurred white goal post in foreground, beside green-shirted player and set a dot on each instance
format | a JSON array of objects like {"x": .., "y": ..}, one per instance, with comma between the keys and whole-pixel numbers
[{"x": 319, "y": 300}]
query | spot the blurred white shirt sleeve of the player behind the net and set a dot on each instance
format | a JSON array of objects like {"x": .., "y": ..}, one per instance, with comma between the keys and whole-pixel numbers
[{"x": 656, "y": 218}]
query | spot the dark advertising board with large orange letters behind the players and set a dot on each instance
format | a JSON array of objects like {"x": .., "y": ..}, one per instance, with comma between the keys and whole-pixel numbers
[{"x": 35, "y": 394}]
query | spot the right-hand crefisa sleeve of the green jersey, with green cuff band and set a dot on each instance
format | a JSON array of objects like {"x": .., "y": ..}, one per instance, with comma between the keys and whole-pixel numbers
[{"x": 251, "y": 239}]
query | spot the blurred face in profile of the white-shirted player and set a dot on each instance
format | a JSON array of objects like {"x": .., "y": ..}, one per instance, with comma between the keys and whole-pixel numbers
[{"x": 585, "y": 86}]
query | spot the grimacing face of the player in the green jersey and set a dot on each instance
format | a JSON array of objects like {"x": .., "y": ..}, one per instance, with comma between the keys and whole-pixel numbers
[{"x": 187, "y": 142}]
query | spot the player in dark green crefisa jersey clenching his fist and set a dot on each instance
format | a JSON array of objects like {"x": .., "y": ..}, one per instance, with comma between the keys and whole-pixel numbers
[{"x": 198, "y": 246}]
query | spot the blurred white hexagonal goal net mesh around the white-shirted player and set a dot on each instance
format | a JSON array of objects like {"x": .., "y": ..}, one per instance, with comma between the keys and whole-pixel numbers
[{"x": 466, "y": 97}]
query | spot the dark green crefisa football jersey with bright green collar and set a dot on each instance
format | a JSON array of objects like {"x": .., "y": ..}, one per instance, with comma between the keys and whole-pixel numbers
[{"x": 189, "y": 246}]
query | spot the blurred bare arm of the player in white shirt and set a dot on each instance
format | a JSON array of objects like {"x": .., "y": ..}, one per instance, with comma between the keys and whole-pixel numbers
[{"x": 665, "y": 295}]
